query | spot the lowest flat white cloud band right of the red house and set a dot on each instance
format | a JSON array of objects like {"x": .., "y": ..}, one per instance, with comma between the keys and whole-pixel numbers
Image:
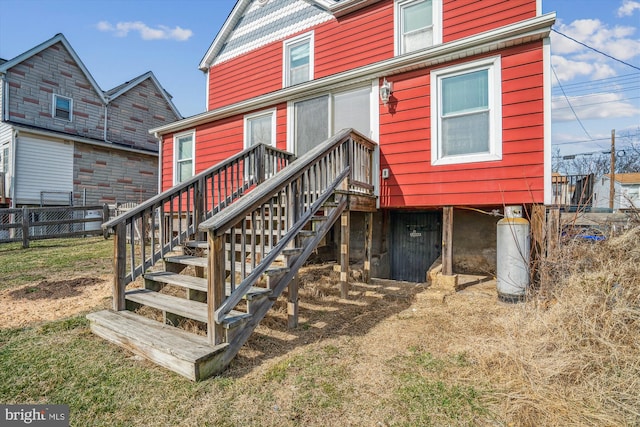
[{"x": 592, "y": 106}]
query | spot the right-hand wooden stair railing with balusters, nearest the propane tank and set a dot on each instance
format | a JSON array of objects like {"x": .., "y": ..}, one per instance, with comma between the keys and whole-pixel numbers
[{"x": 246, "y": 239}]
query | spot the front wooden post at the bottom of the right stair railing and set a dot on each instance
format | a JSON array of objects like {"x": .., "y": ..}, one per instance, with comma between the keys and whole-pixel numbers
[{"x": 215, "y": 287}]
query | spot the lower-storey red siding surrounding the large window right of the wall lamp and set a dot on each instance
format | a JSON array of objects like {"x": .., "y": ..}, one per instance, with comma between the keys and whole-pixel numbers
[{"x": 406, "y": 147}]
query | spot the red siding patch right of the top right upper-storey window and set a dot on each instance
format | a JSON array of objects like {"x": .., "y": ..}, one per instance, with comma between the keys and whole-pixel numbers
[{"x": 462, "y": 18}]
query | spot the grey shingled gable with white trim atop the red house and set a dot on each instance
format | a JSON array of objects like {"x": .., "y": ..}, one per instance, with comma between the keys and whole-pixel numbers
[{"x": 255, "y": 23}]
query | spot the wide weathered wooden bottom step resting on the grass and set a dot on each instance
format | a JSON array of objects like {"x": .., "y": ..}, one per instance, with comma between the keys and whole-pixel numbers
[{"x": 187, "y": 354}]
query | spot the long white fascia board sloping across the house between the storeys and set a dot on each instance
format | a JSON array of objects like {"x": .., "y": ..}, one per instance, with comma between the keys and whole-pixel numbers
[{"x": 526, "y": 31}]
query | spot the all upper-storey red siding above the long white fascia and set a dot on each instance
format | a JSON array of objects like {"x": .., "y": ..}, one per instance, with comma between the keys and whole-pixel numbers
[{"x": 357, "y": 39}]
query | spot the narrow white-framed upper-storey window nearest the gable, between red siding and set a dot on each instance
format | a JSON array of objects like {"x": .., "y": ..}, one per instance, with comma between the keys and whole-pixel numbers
[{"x": 298, "y": 60}]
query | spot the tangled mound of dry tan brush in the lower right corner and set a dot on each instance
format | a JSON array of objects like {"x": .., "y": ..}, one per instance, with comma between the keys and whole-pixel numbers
[{"x": 573, "y": 360}]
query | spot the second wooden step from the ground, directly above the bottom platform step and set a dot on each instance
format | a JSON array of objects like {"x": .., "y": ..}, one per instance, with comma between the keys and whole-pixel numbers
[{"x": 180, "y": 306}]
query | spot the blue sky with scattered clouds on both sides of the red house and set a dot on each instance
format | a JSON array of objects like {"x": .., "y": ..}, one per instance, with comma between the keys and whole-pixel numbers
[{"x": 119, "y": 40}]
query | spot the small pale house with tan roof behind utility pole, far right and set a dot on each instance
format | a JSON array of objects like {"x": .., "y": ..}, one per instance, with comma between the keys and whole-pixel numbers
[{"x": 626, "y": 191}]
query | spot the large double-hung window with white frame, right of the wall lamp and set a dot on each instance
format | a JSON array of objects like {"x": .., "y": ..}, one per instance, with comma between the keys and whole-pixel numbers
[{"x": 466, "y": 113}]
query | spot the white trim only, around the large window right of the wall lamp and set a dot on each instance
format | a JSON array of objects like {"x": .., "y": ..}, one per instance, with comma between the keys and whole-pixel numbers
[{"x": 494, "y": 65}]
